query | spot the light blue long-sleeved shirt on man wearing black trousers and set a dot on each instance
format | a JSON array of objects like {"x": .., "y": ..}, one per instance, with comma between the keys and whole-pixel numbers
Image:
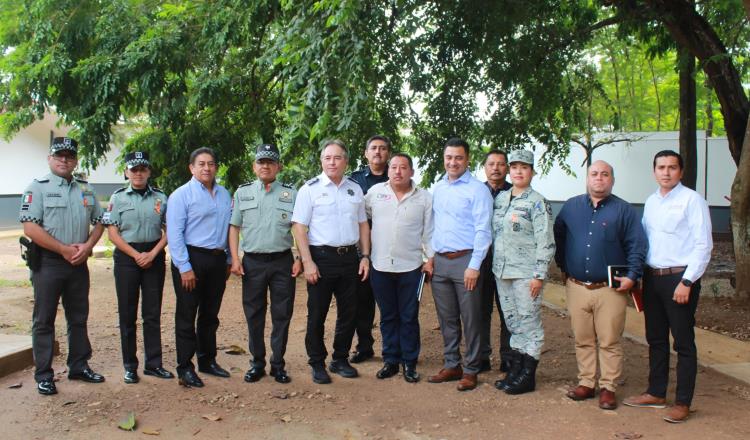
[{"x": 197, "y": 218}]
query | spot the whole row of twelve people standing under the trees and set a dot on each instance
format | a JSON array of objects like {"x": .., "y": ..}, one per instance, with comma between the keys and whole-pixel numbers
[{"x": 373, "y": 237}]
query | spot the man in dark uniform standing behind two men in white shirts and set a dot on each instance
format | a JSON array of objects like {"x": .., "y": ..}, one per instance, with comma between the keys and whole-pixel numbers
[{"x": 377, "y": 152}]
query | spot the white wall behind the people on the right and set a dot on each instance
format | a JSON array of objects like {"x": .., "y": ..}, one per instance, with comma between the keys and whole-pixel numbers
[{"x": 633, "y": 167}]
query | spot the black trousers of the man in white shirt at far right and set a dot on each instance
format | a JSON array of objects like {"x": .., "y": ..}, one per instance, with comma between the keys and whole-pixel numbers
[{"x": 662, "y": 315}]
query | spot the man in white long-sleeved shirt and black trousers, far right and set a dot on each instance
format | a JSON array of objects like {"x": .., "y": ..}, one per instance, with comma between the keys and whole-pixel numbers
[{"x": 678, "y": 227}]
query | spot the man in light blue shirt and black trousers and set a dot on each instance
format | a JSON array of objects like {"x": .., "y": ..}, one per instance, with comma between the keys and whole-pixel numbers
[{"x": 197, "y": 226}]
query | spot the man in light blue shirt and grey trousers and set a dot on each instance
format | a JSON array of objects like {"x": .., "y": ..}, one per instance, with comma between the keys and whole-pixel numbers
[{"x": 462, "y": 209}]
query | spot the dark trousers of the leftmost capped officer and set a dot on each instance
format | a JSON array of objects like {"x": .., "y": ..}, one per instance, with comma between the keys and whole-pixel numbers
[{"x": 55, "y": 279}]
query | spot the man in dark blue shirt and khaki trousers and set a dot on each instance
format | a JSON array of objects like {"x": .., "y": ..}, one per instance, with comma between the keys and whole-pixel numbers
[{"x": 594, "y": 231}]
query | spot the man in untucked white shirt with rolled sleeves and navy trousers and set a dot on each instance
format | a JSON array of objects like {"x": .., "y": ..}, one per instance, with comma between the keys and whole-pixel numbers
[{"x": 401, "y": 217}]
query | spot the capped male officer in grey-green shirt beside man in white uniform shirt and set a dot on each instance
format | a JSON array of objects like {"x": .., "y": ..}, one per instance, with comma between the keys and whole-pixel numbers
[{"x": 263, "y": 213}]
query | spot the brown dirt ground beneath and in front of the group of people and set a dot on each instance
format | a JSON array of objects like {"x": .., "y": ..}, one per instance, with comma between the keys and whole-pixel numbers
[{"x": 347, "y": 409}]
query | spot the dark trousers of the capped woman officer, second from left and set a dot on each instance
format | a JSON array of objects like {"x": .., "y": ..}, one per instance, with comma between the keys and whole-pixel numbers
[{"x": 132, "y": 282}]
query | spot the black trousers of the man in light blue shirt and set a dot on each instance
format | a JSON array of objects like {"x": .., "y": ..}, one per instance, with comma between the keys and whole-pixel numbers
[{"x": 204, "y": 301}]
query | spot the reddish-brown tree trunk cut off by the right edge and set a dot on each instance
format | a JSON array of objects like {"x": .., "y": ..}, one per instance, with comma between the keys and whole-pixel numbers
[{"x": 741, "y": 220}]
